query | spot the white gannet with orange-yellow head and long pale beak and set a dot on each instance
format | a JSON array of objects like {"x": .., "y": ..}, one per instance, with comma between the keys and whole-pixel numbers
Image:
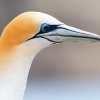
[{"x": 22, "y": 39}]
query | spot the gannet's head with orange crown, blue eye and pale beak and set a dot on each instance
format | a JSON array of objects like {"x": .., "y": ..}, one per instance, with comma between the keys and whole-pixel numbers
[{"x": 42, "y": 29}]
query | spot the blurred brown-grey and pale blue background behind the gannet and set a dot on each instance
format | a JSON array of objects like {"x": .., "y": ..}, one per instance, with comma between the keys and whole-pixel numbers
[{"x": 68, "y": 71}]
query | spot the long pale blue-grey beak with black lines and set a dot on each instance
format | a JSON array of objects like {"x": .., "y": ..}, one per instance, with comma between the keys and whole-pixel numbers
[{"x": 64, "y": 33}]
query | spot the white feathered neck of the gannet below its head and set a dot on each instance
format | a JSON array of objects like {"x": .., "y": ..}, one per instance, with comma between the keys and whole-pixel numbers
[{"x": 14, "y": 71}]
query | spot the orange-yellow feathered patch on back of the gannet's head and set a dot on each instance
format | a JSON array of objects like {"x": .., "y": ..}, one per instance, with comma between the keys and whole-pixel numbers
[{"x": 21, "y": 29}]
